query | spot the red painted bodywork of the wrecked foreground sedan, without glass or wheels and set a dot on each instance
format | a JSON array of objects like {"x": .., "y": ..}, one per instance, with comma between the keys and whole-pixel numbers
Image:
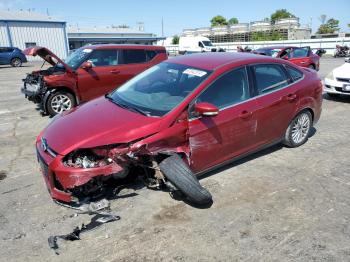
[{"x": 207, "y": 141}]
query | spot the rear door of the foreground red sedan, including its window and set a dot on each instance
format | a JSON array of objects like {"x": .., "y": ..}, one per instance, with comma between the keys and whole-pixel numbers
[{"x": 277, "y": 99}]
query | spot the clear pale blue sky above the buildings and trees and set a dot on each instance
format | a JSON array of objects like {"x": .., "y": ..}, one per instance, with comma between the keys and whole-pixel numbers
[{"x": 180, "y": 14}]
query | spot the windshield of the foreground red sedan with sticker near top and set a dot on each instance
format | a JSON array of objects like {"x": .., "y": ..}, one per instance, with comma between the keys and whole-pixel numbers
[{"x": 159, "y": 89}]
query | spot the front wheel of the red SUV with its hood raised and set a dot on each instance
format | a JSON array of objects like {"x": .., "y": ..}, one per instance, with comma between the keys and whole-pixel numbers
[{"x": 52, "y": 105}]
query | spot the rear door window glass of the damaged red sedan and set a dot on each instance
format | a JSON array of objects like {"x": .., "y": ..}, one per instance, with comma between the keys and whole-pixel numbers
[{"x": 269, "y": 77}]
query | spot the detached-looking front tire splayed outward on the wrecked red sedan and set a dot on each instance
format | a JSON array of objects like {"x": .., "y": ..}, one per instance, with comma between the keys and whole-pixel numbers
[{"x": 178, "y": 173}]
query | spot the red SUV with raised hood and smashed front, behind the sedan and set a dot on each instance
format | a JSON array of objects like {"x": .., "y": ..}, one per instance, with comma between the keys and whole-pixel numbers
[{"x": 87, "y": 73}]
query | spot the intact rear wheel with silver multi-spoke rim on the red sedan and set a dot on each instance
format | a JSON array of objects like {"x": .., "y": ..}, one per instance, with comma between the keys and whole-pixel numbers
[{"x": 291, "y": 138}]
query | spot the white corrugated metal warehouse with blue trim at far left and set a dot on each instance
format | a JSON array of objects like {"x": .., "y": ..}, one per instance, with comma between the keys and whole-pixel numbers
[{"x": 23, "y": 29}]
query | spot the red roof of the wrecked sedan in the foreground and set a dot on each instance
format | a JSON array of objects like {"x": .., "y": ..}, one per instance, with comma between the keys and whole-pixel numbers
[{"x": 213, "y": 60}]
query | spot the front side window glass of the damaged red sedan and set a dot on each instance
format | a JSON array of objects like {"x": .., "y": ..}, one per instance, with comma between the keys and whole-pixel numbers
[{"x": 228, "y": 90}]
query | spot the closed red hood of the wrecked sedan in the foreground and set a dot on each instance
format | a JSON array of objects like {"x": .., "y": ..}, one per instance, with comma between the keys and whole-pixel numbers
[{"x": 97, "y": 123}]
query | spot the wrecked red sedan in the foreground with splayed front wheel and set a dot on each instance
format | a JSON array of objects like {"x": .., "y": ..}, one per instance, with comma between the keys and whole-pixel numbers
[{"x": 177, "y": 120}]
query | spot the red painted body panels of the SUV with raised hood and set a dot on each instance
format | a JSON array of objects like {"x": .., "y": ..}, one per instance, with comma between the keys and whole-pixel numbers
[{"x": 88, "y": 83}]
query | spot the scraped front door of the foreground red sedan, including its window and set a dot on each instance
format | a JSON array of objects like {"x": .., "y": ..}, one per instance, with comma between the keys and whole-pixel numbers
[{"x": 215, "y": 139}]
